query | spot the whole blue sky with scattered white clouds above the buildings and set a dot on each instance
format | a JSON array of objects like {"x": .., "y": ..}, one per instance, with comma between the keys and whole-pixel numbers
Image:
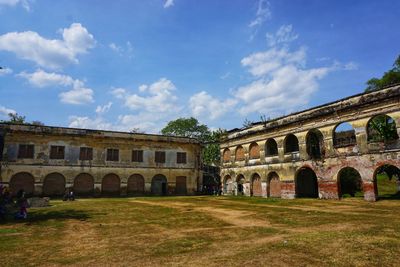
[{"x": 121, "y": 65}]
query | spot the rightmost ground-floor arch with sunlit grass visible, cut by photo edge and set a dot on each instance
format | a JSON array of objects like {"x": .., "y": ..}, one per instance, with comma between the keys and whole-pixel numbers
[{"x": 387, "y": 182}]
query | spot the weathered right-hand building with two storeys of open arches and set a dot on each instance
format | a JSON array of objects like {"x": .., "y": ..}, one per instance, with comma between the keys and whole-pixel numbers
[{"x": 307, "y": 154}]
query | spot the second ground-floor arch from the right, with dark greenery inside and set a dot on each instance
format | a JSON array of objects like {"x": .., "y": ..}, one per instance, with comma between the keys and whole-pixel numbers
[{"x": 349, "y": 182}]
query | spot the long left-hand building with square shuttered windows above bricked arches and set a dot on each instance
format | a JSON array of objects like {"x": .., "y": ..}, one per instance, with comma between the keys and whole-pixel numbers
[{"x": 45, "y": 160}]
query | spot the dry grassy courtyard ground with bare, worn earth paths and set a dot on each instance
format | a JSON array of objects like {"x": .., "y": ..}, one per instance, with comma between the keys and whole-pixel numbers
[{"x": 205, "y": 231}]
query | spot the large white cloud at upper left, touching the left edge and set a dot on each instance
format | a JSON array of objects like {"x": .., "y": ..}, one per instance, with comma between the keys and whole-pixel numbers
[{"x": 49, "y": 53}]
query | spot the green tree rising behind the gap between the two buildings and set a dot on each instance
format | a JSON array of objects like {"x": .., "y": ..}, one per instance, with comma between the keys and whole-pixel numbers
[{"x": 190, "y": 127}]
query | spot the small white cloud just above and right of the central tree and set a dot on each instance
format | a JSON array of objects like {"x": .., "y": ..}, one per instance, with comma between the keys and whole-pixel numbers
[{"x": 204, "y": 105}]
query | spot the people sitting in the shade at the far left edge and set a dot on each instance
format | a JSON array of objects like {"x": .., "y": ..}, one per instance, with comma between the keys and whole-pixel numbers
[{"x": 7, "y": 204}]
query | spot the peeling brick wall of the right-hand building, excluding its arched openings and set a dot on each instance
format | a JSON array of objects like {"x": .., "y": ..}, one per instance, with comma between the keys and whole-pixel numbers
[{"x": 364, "y": 156}]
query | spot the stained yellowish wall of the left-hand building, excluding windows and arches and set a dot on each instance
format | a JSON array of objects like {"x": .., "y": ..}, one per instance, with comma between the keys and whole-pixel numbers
[{"x": 40, "y": 166}]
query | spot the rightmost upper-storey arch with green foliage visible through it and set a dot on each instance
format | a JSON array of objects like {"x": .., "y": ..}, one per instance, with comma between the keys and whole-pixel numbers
[{"x": 381, "y": 128}]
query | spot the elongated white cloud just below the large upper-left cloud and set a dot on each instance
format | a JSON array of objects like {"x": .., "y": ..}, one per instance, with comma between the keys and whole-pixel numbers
[{"x": 79, "y": 94}]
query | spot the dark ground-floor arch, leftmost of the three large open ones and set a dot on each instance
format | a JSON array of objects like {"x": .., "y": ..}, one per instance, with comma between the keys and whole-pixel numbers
[{"x": 306, "y": 183}]
